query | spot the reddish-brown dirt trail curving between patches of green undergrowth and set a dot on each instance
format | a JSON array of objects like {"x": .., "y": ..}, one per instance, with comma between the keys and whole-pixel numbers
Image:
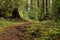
[{"x": 16, "y": 32}]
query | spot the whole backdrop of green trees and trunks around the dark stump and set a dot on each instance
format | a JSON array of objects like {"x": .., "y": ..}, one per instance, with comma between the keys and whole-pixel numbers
[{"x": 31, "y": 9}]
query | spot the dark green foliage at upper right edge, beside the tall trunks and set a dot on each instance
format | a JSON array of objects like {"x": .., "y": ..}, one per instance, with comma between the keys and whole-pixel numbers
[{"x": 56, "y": 9}]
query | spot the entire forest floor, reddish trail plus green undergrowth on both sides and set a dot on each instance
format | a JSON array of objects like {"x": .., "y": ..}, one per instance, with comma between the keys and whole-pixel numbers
[{"x": 44, "y": 30}]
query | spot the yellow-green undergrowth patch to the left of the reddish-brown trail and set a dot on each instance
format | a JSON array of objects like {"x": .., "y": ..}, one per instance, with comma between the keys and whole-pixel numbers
[{"x": 4, "y": 24}]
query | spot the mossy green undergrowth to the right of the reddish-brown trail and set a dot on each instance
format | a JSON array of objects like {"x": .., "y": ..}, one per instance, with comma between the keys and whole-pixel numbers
[{"x": 48, "y": 30}]
